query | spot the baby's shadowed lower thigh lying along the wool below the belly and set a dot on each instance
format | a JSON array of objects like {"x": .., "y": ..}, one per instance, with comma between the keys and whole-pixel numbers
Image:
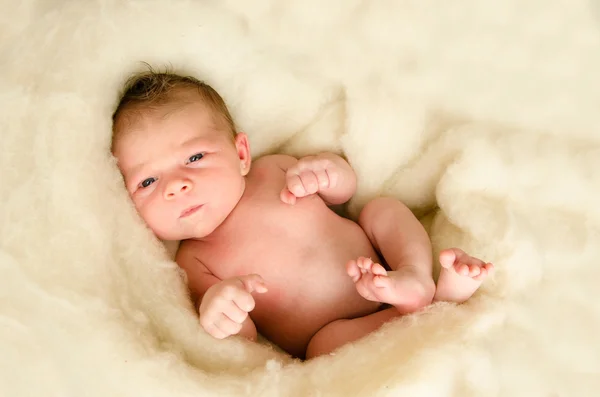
[{"x": 341, "y": 332}]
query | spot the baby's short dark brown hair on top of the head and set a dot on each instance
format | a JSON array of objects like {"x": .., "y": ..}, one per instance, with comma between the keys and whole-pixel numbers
[{"x": 152, "y": 89}]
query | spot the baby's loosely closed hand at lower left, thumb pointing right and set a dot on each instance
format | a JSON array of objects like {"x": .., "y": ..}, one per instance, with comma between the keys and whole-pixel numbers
[{"x": 225, "y": 305}]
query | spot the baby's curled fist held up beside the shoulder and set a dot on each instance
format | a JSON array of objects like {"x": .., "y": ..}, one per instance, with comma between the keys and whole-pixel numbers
[{"x": 308, "y": 176}]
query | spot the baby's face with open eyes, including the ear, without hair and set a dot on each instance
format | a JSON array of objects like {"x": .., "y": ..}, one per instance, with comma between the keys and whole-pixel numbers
[{"x": 183, "y": 172}]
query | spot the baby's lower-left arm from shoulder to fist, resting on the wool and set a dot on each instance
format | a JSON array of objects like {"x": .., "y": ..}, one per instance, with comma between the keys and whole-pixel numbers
[{"x": 212, "y": 298}]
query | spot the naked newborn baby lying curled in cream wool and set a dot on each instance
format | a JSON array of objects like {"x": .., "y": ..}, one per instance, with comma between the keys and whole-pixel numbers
[{"x": 261, "y": 247}]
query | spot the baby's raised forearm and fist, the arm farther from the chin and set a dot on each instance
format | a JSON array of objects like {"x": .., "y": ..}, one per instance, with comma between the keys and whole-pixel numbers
[{"x": 327, "y": 174}]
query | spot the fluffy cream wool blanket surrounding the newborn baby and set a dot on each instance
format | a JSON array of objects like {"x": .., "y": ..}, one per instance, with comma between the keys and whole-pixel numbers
[{"x": 482, "y": 116}]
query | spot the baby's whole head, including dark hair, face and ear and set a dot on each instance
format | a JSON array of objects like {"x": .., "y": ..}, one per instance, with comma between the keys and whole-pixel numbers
[{"x": 182, "y": 161}]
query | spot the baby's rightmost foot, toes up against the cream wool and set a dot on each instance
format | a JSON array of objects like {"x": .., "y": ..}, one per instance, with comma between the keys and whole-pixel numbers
[{"x": 461, "y": 275}]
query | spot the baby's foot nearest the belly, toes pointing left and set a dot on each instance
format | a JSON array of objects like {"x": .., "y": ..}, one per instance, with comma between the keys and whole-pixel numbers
[{"x": 407, "y": 289}]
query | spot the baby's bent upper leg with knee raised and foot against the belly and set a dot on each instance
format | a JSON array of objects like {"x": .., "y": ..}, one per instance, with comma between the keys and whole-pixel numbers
[{"x": 401, "y": 239}]
